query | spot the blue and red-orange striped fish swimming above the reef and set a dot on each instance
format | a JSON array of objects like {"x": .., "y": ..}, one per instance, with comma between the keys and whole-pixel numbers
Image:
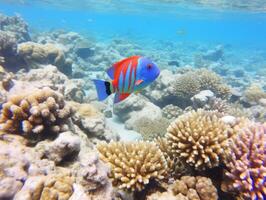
[{"x": 128, "y": 76}]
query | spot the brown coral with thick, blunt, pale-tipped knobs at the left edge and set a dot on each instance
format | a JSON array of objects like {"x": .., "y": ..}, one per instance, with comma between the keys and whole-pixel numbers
[{"x": 34, "y": 113}]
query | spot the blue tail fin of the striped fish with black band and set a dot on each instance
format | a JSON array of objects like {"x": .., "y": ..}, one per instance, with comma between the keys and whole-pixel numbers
[{"x": 104, "y": 89}]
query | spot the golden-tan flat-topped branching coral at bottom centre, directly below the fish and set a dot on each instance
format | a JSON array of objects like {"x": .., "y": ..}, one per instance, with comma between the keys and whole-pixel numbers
[{"x": 133, "y": 164}]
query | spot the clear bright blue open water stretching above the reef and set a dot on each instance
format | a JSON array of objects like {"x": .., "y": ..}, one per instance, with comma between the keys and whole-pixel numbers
[{"x": 240, "y": 28}]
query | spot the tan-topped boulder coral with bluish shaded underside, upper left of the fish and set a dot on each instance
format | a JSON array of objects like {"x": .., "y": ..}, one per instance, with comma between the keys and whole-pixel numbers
[{"x": 35, "y": 54}]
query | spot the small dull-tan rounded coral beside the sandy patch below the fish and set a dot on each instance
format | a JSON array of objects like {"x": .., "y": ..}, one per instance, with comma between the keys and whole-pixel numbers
[{"x": 150, "y": 129}]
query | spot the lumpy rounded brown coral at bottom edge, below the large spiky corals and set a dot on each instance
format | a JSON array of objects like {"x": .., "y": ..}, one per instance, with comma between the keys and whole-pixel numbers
[{"x": 188, "y": 188}]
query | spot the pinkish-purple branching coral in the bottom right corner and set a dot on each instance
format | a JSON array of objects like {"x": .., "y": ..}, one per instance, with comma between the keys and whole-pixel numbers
[{"x": 246, "y": 167}]
